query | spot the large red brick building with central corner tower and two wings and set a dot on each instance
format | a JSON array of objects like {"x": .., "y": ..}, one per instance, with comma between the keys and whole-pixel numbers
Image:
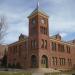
[{"x": 39, "y": 50}]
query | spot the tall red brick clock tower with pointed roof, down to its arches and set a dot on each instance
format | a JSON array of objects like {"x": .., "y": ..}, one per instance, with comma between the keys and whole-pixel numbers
[{"x": 39, "y": 43}]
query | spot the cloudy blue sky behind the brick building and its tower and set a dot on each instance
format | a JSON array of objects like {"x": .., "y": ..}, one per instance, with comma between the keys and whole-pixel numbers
[{"x": 61, "y": 17}]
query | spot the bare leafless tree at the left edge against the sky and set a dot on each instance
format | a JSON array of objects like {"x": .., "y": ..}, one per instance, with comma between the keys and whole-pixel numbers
[{"x": 3, "y": 29}]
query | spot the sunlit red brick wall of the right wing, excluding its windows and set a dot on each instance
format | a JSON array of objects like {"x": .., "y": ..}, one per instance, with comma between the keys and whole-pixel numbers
[{"x": 62, "y": 55}]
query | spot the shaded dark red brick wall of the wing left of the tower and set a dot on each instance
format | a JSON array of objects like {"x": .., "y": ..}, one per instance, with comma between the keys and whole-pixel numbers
[{"x": 19, "y": 58}]
